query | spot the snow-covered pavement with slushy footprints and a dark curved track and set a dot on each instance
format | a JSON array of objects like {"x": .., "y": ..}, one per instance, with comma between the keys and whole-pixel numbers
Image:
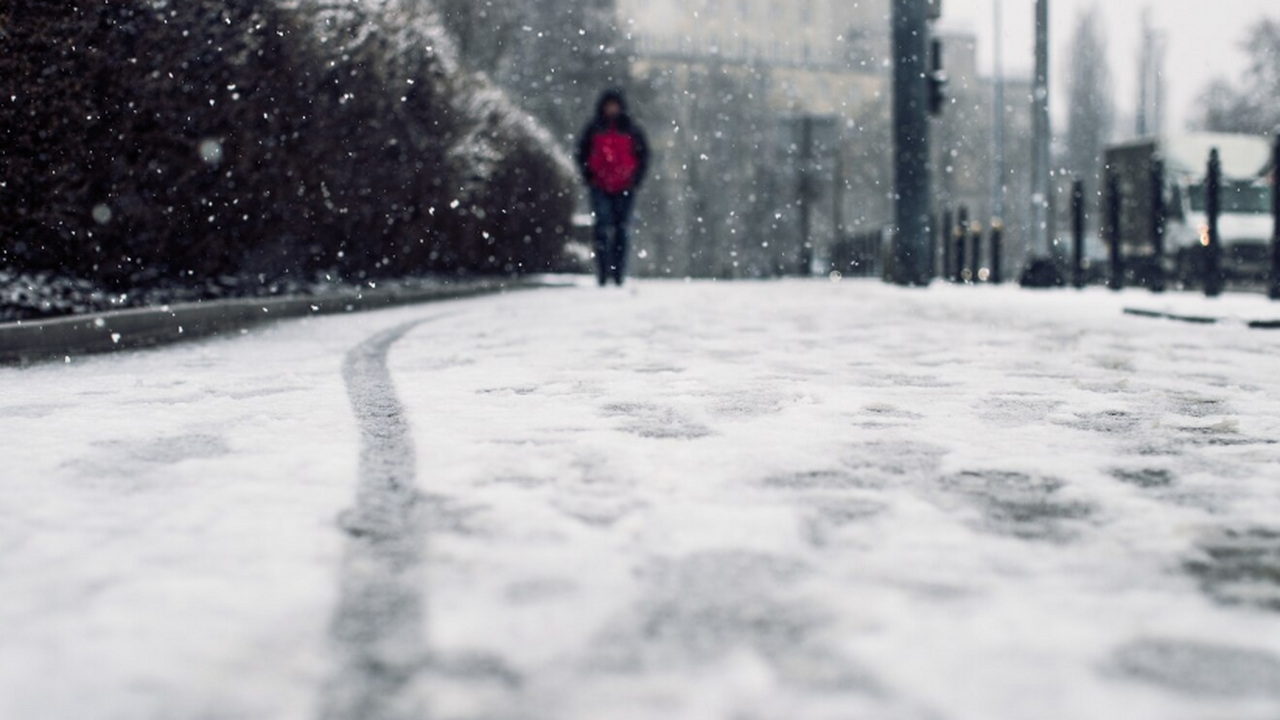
[{"x": 687, "y": 502}]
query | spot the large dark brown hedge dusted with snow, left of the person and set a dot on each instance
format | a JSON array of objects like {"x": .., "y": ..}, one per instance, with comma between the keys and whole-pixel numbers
[{"x": 152, "y": 139}]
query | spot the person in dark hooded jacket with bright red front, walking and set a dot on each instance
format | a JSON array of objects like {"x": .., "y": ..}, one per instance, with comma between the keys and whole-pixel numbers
[{"x": 614, "y": 156}]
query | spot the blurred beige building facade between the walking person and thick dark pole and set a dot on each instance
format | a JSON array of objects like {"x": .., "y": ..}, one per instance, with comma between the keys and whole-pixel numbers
[{"x": 758, "y": 106}]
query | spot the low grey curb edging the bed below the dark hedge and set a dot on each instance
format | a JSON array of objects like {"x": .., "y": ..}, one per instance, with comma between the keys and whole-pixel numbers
[{"x": 149, "y": 327}]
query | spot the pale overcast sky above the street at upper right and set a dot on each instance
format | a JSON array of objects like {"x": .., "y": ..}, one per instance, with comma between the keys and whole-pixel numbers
[{"x": 1204, "y": 43}]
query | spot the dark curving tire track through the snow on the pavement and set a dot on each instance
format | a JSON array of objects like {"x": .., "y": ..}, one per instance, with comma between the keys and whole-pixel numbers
[{"x": 380, "y": 623}]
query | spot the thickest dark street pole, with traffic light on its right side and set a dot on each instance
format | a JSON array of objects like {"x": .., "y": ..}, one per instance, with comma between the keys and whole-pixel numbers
[{"x": 912, "y": 143}]
